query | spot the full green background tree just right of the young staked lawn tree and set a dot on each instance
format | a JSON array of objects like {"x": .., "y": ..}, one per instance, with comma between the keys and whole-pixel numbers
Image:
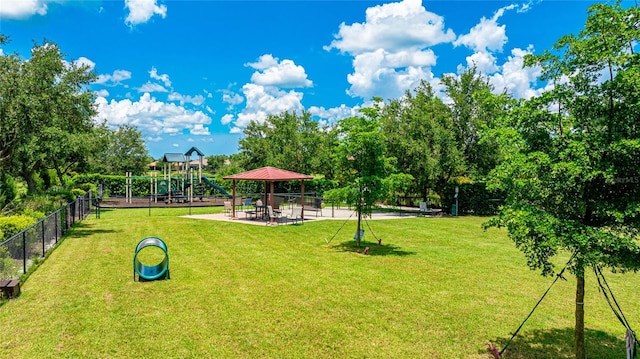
[{"x": 419, "y": 132}]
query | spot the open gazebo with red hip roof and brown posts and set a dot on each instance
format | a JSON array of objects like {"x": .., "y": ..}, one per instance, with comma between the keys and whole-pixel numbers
[{"x": 269, "y": 175}]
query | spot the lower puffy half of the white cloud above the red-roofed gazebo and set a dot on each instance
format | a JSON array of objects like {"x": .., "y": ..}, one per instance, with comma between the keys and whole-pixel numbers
[{"x": 262, "y": 101}]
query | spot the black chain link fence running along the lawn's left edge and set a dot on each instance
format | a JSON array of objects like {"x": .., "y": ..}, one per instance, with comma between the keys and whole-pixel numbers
[{"x": 20, "y": 251}]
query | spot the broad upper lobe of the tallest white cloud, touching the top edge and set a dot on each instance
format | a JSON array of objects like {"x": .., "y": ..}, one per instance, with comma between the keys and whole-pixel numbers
[{"x": 393, "y": 27}]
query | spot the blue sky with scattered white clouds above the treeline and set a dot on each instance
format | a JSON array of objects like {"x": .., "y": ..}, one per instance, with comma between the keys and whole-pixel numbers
[{"x": 195, "y": 73}]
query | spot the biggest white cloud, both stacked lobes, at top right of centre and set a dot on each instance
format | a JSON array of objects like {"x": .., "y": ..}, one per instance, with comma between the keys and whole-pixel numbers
[{"x": 391, "y": 48}]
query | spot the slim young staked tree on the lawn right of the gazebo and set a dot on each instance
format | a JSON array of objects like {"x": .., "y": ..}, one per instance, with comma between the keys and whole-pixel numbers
[{"x": 361, "y": 162}]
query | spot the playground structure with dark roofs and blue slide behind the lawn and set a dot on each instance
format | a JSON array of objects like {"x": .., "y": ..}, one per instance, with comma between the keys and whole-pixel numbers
[{"x": 180, "y": 181}]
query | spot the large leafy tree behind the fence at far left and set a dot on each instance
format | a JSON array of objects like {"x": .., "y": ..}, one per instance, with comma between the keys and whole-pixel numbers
[{"x": 44, "y": 104}]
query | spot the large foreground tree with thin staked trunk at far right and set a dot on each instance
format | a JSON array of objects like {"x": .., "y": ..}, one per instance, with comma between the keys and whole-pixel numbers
[{"x": 572, "y": 176}]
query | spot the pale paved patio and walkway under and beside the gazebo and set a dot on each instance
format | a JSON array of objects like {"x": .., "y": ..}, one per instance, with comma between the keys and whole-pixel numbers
[{"x": 327, "y": 214}]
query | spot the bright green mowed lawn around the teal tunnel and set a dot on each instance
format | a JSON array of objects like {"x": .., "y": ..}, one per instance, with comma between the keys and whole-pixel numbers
[{"x": 436, "y": 288}]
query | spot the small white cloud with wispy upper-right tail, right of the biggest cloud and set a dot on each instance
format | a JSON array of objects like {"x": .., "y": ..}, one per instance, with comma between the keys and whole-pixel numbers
[{"x": 486, "y": 35}]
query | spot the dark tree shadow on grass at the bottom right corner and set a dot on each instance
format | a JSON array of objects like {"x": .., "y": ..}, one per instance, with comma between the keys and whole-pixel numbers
[{"x": 558, "y": 344}]
